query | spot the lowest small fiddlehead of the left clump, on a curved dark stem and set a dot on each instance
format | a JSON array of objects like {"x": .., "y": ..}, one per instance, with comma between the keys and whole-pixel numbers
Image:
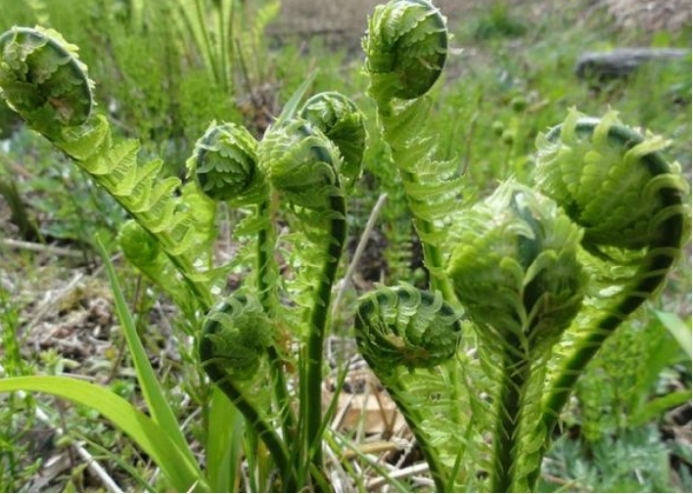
[{"x": 236, "y": 334}]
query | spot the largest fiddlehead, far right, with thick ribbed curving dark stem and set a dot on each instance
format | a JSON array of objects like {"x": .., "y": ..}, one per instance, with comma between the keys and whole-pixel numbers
[{"x": 629, "y": 199}]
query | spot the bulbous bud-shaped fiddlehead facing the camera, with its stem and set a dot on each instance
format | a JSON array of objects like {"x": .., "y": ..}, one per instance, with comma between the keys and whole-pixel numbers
[{"x": 516, "y": 271}]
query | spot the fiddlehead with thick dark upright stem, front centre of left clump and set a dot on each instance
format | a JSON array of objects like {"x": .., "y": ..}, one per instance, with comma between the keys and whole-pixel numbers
[{"x": 303, "y": 165}]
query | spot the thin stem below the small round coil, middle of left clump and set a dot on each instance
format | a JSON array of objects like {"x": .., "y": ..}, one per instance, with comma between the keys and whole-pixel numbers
[{"x": 266, "y": 289}]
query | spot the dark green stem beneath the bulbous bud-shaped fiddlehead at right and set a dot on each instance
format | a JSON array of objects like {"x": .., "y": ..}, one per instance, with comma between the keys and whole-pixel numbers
[{"x": 516, "y": 371}]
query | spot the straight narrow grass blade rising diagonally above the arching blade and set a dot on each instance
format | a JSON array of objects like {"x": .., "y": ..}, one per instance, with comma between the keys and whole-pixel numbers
[{"x": 153, "y": 393}]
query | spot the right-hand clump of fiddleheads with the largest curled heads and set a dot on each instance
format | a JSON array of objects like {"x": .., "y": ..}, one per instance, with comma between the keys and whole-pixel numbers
[{"x": 526, "y": 266}]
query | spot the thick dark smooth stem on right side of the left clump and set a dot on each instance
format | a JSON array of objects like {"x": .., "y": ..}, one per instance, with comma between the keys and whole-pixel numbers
[{"x": 313, "y": 384}]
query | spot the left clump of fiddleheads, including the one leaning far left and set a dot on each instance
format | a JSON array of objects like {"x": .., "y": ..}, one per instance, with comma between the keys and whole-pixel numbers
[{"x": 309, "y": 160}]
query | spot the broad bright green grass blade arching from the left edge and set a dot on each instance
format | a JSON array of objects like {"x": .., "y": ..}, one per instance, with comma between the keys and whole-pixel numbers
[{"x": 147, "y": 434}]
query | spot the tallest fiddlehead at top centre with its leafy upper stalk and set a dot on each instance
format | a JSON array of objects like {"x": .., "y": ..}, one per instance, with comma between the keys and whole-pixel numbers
[{"x": 406, "y": 47}]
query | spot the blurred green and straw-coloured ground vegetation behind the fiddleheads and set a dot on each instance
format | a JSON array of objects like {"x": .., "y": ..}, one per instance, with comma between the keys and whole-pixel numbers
[{"x": 164, "y": 70}]
